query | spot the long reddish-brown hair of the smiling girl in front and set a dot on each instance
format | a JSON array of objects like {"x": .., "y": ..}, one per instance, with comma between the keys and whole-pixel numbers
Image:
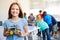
[{"x": 20, "y": 11}]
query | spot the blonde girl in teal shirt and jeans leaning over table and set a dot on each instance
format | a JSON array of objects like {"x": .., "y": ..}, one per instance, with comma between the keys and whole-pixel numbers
[{"x": 43, "y": 27}]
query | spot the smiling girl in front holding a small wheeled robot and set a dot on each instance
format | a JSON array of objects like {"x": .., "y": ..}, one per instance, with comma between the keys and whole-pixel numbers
[{"x": 15, "y": 19}]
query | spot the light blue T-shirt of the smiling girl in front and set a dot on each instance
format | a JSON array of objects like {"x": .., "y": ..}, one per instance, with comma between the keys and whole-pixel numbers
[{"x": 21, "y": 23}]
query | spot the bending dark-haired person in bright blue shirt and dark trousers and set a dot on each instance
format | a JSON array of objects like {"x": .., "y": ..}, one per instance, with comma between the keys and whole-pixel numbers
[{"x": 48, "y": 19}]
